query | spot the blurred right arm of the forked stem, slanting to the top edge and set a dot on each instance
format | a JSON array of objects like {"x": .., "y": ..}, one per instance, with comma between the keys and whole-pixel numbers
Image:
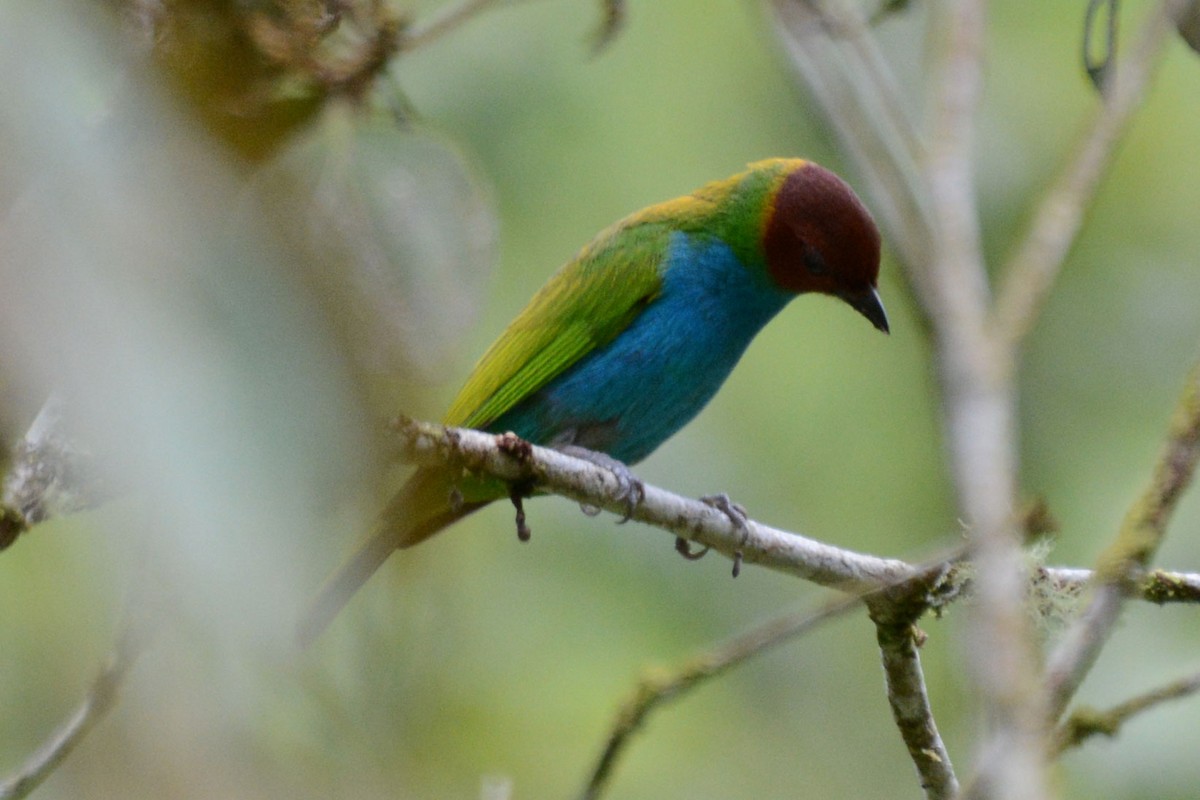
[{"x": 1033, "y": 272}]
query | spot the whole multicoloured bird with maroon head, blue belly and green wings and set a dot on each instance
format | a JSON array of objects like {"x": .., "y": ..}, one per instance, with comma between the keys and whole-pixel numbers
[{"x": 631, "y": 339}]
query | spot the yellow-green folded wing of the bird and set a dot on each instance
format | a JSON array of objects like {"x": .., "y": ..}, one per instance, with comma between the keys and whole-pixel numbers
[{"x": 583, "y": 308}]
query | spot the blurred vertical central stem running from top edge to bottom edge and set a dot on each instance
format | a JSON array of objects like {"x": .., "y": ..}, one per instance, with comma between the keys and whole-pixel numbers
[{"x": 980, "y": 413}]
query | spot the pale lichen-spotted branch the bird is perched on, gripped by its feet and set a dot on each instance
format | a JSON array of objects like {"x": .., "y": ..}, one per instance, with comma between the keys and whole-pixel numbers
[{"x": 515, "y": 461}]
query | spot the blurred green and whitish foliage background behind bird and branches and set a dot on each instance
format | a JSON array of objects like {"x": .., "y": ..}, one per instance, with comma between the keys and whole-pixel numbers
[{"x": 235, "y": 273}]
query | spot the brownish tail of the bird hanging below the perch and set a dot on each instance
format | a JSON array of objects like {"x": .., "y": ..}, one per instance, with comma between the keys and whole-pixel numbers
[{"x": 421, "y": 509}]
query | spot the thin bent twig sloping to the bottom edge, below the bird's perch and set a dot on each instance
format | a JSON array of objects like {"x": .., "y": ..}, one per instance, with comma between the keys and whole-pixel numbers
[{"x": 655, "y": 690}]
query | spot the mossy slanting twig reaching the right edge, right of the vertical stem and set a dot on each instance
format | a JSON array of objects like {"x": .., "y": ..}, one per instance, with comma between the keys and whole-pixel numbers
[{"x": 1141, "y": 536}]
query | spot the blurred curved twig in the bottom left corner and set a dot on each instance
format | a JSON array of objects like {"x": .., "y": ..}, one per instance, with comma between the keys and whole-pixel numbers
[{"x": 101, "y": 697}]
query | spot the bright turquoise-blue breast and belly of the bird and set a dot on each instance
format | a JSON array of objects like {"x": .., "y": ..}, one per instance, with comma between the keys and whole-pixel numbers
[{"x": 629, "y": 396}]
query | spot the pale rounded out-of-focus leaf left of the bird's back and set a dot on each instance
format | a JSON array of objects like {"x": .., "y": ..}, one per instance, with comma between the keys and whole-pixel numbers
[{"x": 400, "y": 230}]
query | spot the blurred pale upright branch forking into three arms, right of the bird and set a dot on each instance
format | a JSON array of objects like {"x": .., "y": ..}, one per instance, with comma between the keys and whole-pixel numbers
[{"x": 932, "y": 220}]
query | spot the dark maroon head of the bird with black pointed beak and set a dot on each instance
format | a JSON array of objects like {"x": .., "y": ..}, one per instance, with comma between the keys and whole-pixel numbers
[{"x": 819, "y": 237}]
